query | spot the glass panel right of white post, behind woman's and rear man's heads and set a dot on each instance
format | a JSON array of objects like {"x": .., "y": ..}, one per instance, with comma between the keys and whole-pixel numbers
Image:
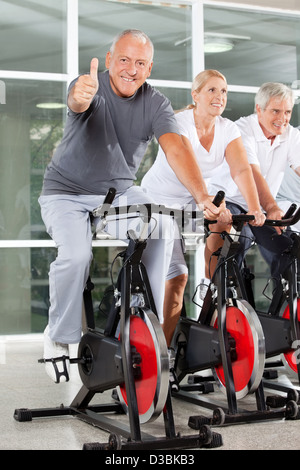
[{"x": 259, "y": 46}]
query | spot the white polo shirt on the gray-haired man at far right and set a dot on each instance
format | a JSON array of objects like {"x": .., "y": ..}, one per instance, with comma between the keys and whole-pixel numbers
[{"x": 272, "y": 159}]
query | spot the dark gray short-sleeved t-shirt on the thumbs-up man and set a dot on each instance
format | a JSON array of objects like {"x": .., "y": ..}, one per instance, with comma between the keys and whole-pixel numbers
[{"x": 103, "y": 147}]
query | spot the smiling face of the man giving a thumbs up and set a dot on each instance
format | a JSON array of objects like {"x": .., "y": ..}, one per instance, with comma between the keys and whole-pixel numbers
[{"x": 129, "y": 65}]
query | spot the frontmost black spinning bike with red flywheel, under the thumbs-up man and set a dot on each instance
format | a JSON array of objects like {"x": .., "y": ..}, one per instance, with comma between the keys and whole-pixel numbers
[{"x": 129, "y": 356}]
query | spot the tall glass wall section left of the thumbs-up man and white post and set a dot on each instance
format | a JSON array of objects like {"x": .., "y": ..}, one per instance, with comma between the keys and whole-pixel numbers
[{"x": 33, "y": 64}]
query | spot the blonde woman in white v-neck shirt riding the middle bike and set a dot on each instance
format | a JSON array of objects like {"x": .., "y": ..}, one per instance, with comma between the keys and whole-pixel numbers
[{"x": 212, "y": 139}]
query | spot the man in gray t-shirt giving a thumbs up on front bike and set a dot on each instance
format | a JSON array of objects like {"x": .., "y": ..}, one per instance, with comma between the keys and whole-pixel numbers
[{"x": 111, "y": 119}]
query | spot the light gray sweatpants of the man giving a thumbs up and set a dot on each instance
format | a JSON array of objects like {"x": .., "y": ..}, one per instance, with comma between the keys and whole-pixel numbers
[{"x": 67, "y": 221}]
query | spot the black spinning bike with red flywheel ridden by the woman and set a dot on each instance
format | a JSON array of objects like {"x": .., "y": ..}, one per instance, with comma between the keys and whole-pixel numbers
[{"x": 229, "y": 338}]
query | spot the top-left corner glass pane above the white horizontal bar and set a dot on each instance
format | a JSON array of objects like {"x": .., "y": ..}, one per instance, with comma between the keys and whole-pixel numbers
[{"x": 33, "y": 36}]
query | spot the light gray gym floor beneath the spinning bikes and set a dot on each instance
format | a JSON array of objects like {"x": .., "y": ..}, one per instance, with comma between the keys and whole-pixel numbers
[{"x": 24, "y": 384}]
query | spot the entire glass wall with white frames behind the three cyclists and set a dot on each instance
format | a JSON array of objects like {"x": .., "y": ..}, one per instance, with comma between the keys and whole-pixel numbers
[{"x": 45, "y": 45}]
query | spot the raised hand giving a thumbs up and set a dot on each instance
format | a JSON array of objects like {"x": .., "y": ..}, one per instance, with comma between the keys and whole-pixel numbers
[{"x": 84, "y": 89}]
